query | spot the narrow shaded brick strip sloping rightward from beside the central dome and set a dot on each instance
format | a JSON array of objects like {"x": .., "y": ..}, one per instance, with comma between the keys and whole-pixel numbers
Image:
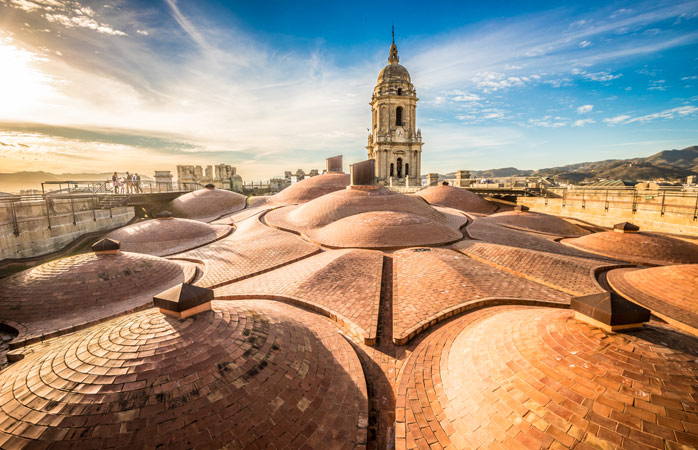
[{"x": 489, "y": 232}]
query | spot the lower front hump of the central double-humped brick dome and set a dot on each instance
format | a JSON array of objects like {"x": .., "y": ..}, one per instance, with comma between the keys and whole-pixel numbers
[{"x": 383, "y": 229}]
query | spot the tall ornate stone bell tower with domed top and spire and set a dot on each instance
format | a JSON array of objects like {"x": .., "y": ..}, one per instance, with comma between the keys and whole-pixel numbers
[{"x": 395, "y": 142}]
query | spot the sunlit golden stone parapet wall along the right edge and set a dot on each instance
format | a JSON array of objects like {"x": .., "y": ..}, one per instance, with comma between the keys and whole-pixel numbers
[{"x": 650, "y": 210}]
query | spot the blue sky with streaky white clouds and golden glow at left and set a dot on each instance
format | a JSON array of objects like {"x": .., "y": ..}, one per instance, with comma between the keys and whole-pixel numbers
[{"x": 96, "y": 86}]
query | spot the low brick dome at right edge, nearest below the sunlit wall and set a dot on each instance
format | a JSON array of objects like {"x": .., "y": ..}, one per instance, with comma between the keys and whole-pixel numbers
[{"x": 638, "y": 248}]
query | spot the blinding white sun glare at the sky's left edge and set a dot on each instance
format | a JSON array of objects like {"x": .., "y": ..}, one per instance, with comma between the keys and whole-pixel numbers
[{"x": 22, "y": 85}]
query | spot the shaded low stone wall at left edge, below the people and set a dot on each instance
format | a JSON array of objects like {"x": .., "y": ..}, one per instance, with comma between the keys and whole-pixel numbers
[{"x": 36, "y": 238}]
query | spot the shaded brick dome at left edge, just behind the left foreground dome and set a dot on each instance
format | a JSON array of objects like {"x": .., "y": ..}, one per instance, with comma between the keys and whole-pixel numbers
[{"x": 69, "y": 293}]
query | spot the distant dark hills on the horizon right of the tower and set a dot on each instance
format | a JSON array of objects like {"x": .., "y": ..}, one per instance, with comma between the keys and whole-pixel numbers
[{"x": 672, "y": 165}]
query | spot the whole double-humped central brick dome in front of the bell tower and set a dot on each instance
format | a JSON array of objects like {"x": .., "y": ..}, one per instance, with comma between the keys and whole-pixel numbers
[{"x": 359, "y": 217}]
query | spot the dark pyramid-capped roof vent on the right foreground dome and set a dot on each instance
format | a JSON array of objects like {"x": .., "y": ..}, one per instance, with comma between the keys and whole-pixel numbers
[{"x": 609, "y": 312}]
